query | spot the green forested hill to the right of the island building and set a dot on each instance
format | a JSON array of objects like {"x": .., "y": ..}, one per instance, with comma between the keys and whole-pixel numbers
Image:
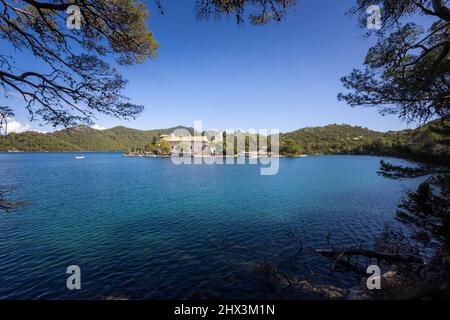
[{"x": 428, "y": 143}]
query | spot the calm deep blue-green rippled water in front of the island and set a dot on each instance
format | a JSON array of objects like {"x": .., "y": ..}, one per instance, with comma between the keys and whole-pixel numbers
[{"x": 142, "y": 228}]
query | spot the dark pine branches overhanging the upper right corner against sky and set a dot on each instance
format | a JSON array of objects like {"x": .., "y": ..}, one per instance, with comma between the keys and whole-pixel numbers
[{"x": 407, "y": 72}]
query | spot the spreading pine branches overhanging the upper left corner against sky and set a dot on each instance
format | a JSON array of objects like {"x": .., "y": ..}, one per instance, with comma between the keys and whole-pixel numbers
[{"x": 76, "y": 82}]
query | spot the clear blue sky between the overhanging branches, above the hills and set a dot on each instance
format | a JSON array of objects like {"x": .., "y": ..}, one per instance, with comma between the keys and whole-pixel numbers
[{"x": 284, "y": 76}]
